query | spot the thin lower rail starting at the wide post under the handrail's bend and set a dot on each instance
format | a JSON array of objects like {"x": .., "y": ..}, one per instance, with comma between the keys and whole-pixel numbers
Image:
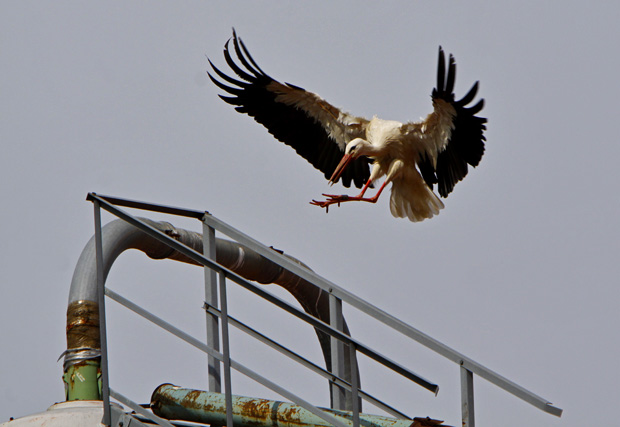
[{"x": 305, "y": 362}]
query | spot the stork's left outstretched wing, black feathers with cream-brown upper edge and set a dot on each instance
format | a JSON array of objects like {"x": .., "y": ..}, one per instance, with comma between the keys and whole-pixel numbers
[{"x": 317, "y": 130}]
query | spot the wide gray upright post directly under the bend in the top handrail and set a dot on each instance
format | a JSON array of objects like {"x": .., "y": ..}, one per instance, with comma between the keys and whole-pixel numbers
[{"x": 213, "y": 334}]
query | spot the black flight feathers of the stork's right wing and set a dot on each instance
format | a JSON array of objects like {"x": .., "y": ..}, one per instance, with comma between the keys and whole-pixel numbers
[{"x": 466, "y": 144}]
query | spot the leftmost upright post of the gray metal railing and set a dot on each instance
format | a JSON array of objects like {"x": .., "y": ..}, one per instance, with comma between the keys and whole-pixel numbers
[{"x": 105, "y": 385}]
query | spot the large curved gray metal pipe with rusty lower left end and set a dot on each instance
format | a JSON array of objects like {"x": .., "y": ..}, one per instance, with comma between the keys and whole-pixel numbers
[{"x": 118, "y": 236}]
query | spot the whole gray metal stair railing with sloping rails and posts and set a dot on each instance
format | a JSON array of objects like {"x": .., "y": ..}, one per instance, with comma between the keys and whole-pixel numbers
[{"x": 216, "y": 279}]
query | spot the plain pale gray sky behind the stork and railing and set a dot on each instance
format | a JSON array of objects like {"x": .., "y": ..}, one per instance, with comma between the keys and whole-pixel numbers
[{"x": 519, "y": 271}]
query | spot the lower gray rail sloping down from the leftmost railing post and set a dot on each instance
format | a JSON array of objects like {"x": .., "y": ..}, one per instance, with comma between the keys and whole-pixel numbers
[{"x": 219, "y": 356}]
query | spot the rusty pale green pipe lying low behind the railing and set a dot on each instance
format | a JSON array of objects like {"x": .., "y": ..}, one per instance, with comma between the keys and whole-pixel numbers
[{"x": 176, "y": 403}]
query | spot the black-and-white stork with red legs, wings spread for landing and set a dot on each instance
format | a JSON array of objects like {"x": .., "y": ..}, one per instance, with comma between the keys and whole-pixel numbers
[{"x": 412, "y": 156}]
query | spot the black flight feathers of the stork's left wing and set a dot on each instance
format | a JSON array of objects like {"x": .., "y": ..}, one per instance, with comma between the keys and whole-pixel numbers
[{"x": 289, "y": 124}]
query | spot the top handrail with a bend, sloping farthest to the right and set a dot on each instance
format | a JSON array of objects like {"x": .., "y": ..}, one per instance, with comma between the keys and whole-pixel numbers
[{"x": 362, "y": 305}]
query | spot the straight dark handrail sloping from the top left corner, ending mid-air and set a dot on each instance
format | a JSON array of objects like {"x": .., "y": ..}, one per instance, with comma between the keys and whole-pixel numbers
[{"x": 230, "y": 275}]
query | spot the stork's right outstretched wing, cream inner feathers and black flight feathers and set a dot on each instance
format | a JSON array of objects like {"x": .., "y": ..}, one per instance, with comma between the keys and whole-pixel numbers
[{"x": 457, "y": 133}]
